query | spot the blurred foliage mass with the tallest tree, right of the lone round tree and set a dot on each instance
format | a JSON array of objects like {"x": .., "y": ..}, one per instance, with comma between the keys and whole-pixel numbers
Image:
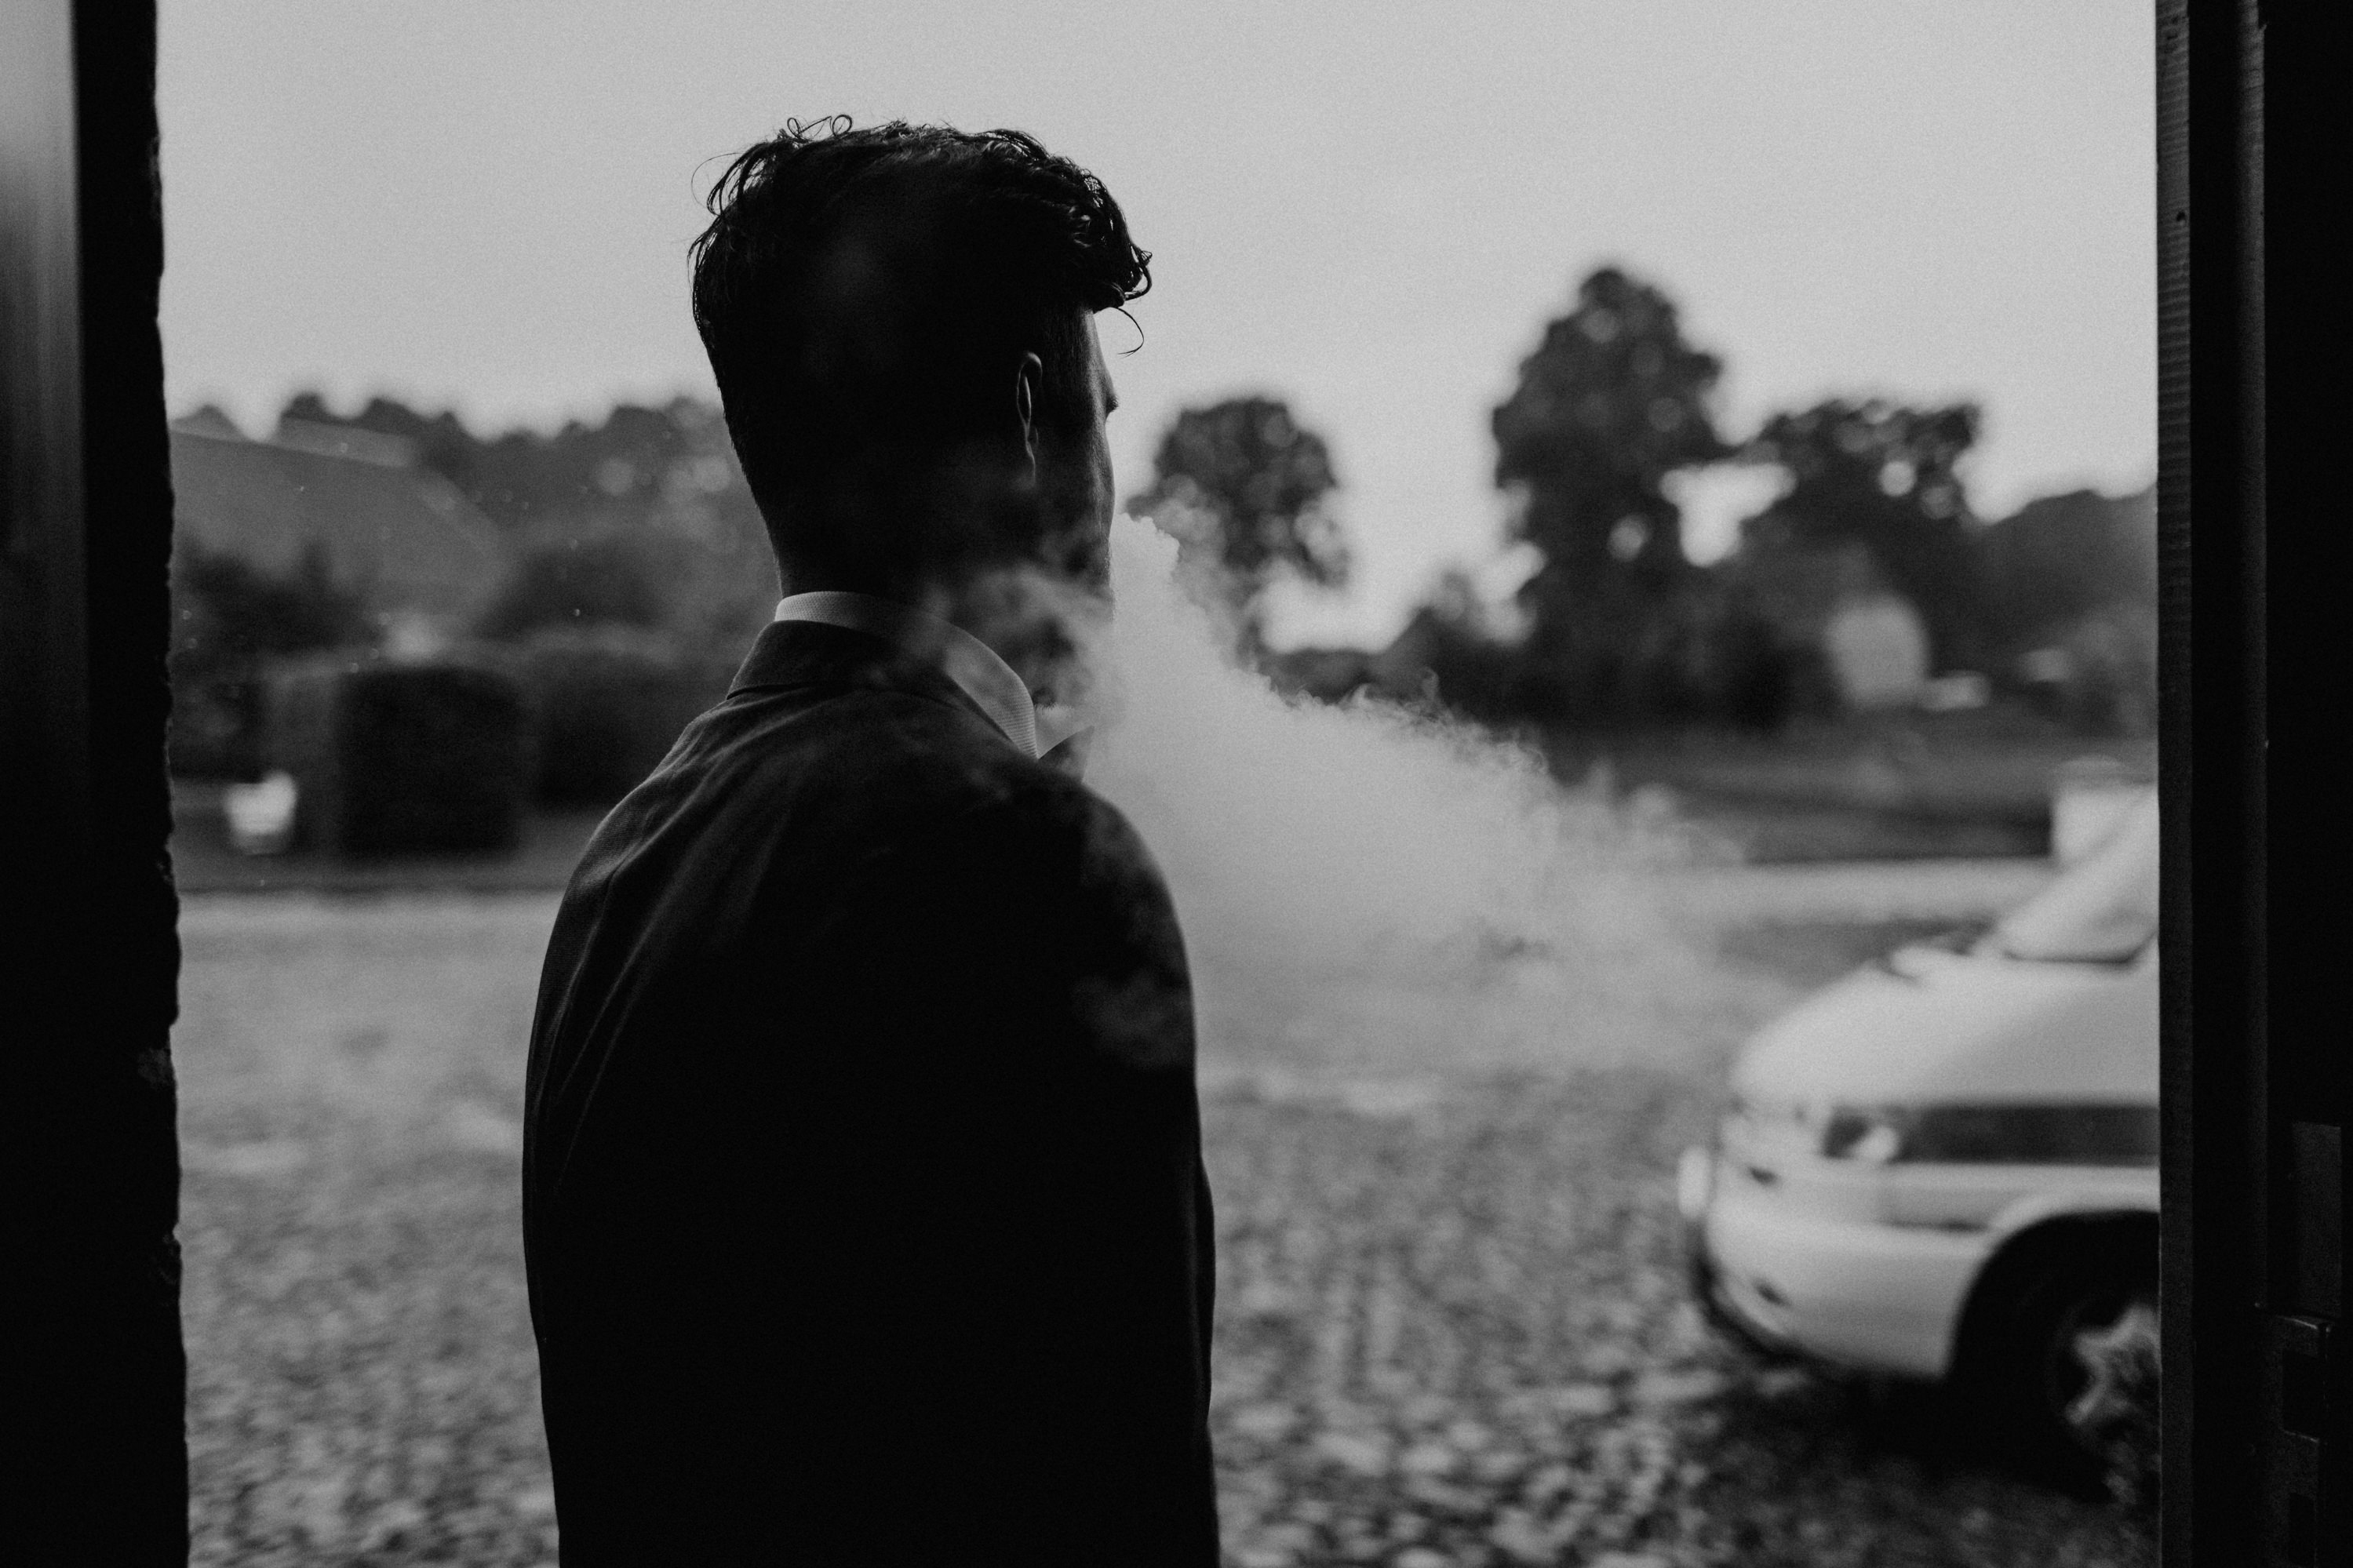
[{"x": 1867, "y": 589}]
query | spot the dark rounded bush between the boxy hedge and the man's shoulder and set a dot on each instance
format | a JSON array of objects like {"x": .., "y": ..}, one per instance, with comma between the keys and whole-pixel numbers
[{"x": 608, "y": 702}]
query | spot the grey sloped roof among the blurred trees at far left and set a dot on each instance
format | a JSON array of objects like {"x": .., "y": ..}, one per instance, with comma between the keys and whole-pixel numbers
[{"x": 401, "y": 537}]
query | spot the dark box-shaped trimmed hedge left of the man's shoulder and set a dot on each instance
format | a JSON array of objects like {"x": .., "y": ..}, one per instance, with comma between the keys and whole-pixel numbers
[{"x": 401, "y": 756}]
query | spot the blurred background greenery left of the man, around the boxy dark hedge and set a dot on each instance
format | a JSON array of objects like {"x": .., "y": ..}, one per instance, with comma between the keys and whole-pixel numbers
[{"x": 627, "y": 572}]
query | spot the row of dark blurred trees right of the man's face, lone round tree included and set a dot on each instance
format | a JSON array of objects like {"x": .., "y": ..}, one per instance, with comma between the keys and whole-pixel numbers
[{"x": 1618, "y": 626}]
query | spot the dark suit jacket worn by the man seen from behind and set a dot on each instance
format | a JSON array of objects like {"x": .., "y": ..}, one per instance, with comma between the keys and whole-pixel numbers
[{"x": 862, "y": 1174}]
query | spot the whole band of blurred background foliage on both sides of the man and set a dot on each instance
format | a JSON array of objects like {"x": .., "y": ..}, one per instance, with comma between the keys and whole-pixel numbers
[{"x": 620, "y": 568}]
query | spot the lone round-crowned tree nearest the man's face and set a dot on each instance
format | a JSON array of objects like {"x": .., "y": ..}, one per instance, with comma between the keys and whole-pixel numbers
[{"x": 1244, "y": 488}]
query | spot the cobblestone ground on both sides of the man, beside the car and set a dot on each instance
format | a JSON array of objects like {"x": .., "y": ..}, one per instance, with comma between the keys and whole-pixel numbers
[{"x": 1451, "y": 1320}]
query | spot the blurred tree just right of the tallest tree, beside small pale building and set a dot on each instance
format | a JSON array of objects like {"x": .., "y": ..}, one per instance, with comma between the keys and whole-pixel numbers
[{"x": 1884, "y": 476}]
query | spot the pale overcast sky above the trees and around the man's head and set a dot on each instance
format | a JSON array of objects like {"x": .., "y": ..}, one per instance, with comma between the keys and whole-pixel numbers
[{"x": 1364, "y": 208}]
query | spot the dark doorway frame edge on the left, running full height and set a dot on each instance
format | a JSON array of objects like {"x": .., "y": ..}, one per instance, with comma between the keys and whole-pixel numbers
[{"x": 93, "y": 1376}]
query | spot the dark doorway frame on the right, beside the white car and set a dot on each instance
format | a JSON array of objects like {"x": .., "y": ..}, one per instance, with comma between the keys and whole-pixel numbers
[{"x": 2253, "y": 326}]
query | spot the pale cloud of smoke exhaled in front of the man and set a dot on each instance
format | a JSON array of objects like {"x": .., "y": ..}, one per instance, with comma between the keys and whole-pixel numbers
[{"x": 1366, "y": 887}]
